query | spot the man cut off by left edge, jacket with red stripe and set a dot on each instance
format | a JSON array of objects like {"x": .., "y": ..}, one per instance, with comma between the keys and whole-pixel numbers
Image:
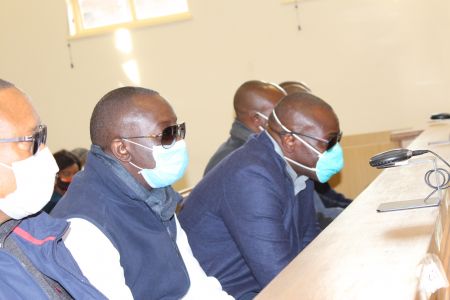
[{"x": 34, "y": 263}]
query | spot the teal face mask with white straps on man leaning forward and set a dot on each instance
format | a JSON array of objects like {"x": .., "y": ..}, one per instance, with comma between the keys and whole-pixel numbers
[{"x": 329, "y": 163}]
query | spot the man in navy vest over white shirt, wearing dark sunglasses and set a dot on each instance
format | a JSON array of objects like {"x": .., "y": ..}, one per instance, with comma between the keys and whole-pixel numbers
[{"x": 124, "y": 233}]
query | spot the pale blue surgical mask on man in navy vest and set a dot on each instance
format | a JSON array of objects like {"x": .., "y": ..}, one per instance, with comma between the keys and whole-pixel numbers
[{"x": 170, "y": 163}]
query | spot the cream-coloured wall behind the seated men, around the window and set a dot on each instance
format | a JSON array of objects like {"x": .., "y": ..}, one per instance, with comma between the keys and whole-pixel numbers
[{"x": 382, "y": 64}]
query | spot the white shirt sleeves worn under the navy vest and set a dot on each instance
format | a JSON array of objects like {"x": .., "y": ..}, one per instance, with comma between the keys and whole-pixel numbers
[{"x": 99, "y": 261}]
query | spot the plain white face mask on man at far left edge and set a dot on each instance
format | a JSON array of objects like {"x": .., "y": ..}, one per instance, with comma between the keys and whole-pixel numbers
[{"x": 35, "y": 178}]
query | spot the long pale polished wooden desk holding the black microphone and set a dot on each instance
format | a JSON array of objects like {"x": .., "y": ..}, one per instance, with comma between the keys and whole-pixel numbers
[{"x": 368, "y": 255}]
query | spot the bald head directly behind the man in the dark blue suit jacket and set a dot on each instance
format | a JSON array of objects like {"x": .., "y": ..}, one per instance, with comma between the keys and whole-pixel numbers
[{"x": 256, "y": 96}]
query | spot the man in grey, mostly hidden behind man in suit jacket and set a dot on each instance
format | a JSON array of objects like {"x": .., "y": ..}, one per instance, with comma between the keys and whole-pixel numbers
[{"x": 253, "y": 102}]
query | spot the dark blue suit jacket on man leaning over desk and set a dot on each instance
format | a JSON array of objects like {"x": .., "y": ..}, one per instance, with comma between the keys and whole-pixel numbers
[{"x": 243, "y": 220}]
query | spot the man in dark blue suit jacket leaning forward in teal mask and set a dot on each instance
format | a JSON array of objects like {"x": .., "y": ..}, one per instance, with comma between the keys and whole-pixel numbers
[{"x": 255, "y": 209}]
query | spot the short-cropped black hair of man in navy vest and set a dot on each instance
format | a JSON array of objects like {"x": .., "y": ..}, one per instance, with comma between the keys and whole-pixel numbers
[{"x": 106, "y": 112}]
